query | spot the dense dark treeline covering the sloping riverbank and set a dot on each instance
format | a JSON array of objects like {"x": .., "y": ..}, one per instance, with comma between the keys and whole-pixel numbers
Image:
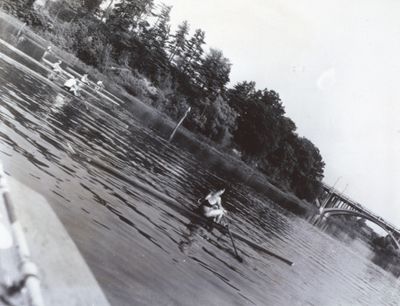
[{"x": 172, "y": 70}]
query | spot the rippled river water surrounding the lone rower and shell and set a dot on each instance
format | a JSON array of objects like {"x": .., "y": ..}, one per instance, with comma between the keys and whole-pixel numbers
[{"x": 145, "y": 251}]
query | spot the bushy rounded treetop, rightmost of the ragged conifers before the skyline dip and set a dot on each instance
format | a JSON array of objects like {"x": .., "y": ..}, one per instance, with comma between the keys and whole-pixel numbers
[{"x": 214, "y": 72}]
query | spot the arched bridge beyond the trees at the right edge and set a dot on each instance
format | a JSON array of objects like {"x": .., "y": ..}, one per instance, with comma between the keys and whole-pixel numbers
[{"x": 332, "y": 202}]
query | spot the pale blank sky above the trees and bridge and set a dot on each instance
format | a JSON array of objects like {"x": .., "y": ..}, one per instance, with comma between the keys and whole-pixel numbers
[{"x": 336, "y": 67}]
